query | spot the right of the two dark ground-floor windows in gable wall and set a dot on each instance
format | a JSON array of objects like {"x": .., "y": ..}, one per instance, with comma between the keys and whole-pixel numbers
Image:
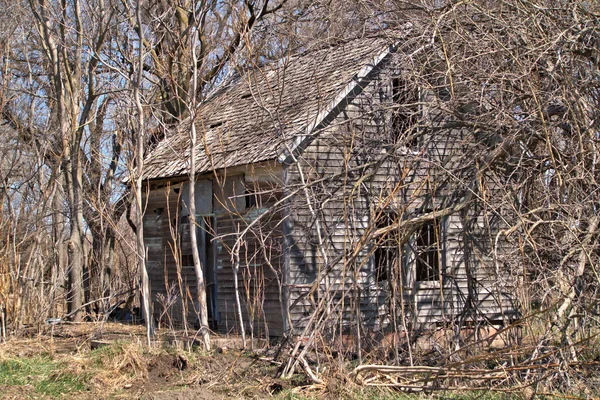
[{"x": 427, "y": 252}]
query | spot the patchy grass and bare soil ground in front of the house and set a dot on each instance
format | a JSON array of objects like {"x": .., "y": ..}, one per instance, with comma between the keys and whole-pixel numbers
[{"x": 112, "y": 361}]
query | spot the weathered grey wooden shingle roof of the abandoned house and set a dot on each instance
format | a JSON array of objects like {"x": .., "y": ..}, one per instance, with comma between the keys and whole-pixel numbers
[{"x": 260, "y": 114}]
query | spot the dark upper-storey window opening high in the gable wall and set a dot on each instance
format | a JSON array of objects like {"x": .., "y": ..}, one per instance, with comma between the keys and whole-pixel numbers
[{"x": 406, "y": 113}]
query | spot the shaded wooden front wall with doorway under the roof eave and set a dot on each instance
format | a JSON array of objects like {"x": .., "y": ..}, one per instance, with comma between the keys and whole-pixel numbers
[{"x": 239, "y": 203}]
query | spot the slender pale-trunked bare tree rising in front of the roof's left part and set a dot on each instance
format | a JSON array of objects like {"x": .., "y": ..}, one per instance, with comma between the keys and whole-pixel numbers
[{"x": 196, "y": 45}]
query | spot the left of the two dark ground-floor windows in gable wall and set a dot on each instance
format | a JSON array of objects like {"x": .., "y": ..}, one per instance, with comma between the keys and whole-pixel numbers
[{"x": 387, "y": 254}]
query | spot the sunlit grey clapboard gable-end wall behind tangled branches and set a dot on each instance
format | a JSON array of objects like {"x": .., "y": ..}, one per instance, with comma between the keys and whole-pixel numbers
[{"x": 353, "y": 173}]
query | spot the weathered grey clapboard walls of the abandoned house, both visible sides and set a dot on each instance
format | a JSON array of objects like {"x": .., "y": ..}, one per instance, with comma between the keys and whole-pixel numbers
[{"x": 338, "y": 185}]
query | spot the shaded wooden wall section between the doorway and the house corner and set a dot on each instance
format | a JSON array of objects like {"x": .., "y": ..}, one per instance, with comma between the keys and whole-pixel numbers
[{"x": 260, "y": 256}]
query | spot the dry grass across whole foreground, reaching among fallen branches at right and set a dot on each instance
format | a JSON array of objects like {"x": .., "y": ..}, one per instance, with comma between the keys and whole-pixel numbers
[{"x": 62, "y": 365}]
